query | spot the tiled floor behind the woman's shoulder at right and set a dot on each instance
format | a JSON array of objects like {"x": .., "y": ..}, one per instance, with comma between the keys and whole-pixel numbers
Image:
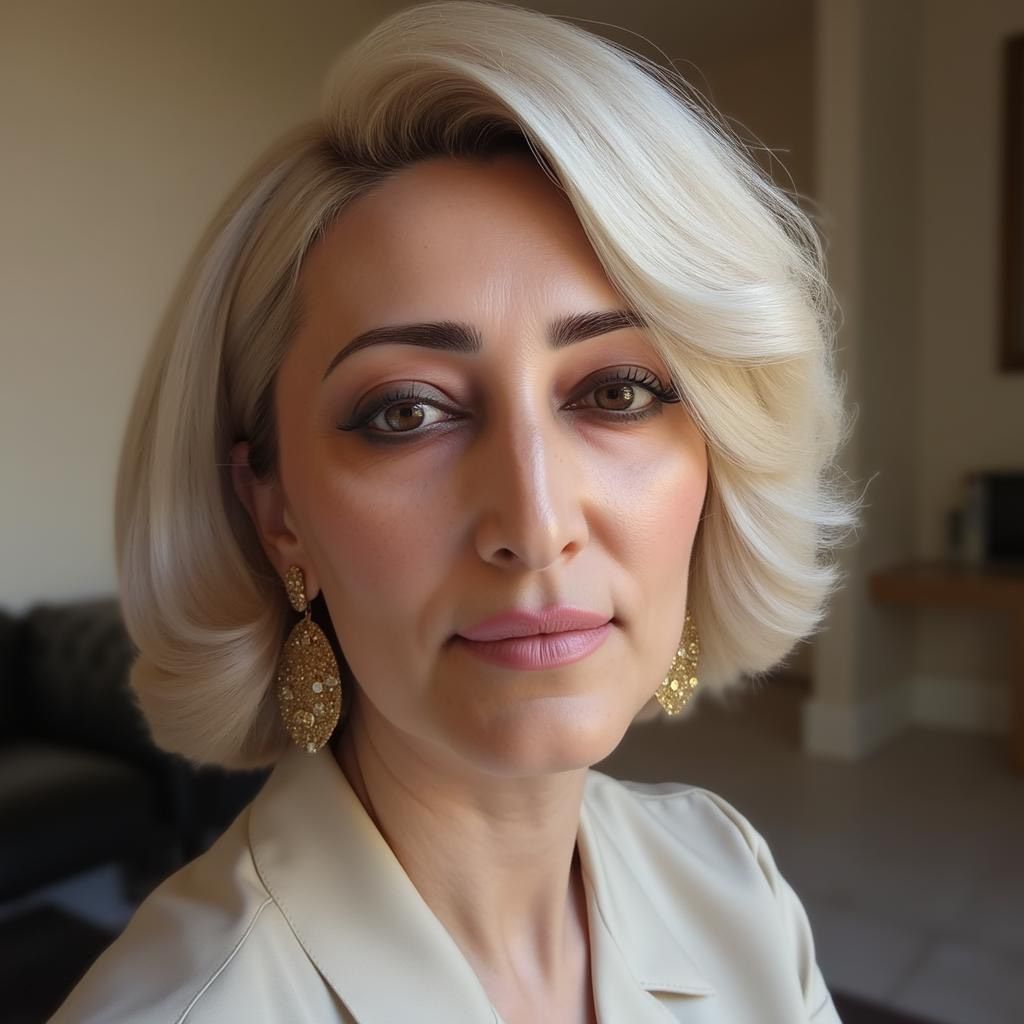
[{"x": 910, "y": 864}]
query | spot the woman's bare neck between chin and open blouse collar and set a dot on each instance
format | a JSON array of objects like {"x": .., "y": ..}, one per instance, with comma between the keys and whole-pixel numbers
[{"x": 494, "y": 858}]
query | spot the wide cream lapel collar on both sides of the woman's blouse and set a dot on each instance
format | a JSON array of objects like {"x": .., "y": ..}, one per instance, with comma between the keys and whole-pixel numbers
[{"x": 326, "y": 868}]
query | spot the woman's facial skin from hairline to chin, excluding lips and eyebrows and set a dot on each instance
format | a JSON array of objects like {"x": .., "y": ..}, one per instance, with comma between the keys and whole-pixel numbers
[{"x": 514, "y": 480}]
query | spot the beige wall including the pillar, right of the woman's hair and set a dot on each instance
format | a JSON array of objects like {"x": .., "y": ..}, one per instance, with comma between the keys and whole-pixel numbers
[{"x": 909, "y": 155}]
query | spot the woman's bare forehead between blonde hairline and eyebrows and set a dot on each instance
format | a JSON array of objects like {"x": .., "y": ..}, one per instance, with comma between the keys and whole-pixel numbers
[{"x": 450, "y": 233}]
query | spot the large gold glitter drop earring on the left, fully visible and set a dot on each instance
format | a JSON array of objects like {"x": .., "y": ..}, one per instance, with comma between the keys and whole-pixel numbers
[{"x": 308, "y": 684}]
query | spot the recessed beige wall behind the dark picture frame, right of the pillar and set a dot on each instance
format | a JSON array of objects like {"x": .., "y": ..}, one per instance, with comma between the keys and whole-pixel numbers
[{"x": 970, "y": 415}]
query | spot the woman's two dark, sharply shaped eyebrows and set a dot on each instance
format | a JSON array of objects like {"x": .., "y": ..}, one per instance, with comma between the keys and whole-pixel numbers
[{"x": 451, "y": 336}]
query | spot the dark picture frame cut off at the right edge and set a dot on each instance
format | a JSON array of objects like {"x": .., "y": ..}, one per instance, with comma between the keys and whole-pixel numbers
[{"x": 1012, "y": 349}]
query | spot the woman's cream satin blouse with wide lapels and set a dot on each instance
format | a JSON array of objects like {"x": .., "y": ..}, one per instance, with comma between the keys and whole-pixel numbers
[{"x": 302, "y": 913}]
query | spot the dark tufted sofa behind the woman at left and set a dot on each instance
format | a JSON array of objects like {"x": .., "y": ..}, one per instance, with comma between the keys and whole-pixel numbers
[{"x": 81, "y": 783}]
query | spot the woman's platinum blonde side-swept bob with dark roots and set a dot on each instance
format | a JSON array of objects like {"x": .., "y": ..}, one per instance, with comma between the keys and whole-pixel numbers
[{"x": 722, "y": 265}]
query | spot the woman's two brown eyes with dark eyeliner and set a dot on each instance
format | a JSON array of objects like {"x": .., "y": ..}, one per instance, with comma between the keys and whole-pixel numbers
[{"x": 405, "y": 411}]
